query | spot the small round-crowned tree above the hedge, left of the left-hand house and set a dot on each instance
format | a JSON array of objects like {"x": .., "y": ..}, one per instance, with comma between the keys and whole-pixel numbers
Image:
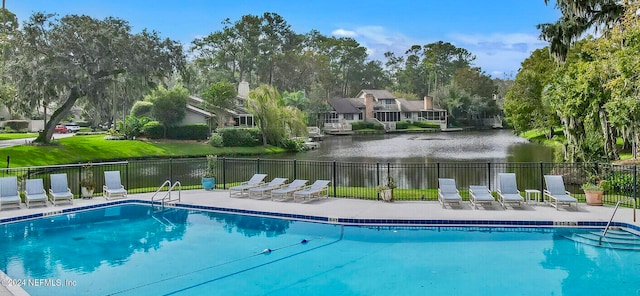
[{"x": 169, "y": 106}]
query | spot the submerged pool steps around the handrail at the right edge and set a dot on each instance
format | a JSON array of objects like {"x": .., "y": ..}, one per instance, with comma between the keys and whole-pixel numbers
[{"x": 615, "y": 239}]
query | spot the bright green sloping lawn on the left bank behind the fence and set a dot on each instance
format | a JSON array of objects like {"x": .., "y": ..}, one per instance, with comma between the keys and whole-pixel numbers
[{"x": 95, "y": 148}]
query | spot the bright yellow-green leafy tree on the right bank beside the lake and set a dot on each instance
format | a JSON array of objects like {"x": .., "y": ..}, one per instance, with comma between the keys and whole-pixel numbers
[{"x": 578, "y": 94}]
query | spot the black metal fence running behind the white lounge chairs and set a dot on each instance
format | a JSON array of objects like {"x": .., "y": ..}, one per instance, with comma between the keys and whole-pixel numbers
[{"x": 414, "y": 181}]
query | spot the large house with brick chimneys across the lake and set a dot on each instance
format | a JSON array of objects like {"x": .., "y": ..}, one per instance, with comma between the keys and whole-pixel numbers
[{"x": 380, "y": 106}]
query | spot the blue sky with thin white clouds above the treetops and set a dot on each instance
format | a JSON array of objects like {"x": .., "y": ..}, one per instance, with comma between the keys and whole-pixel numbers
[{"x": 500, "y": 33}]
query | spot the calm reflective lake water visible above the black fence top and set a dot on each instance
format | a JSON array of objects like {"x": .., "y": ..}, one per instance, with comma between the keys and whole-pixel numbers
[{"x": 465, "y": 146}]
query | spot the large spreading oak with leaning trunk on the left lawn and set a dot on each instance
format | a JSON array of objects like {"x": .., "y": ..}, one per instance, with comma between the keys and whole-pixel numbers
[{"x": 58, "y": 61}]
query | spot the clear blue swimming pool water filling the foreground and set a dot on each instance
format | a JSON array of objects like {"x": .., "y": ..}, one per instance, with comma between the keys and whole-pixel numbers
[{"x": 133, "y": 250}]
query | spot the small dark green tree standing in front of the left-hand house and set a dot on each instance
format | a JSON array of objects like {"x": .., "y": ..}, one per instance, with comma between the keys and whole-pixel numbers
[{"x": 219, "y": 98}]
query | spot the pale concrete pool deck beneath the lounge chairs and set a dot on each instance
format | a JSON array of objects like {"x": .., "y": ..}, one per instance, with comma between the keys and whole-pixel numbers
[{"x": 359, "y": 209}]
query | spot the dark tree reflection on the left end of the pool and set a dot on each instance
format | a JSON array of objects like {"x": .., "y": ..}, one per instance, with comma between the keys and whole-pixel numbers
[{"x": 84, "y": 241}]
